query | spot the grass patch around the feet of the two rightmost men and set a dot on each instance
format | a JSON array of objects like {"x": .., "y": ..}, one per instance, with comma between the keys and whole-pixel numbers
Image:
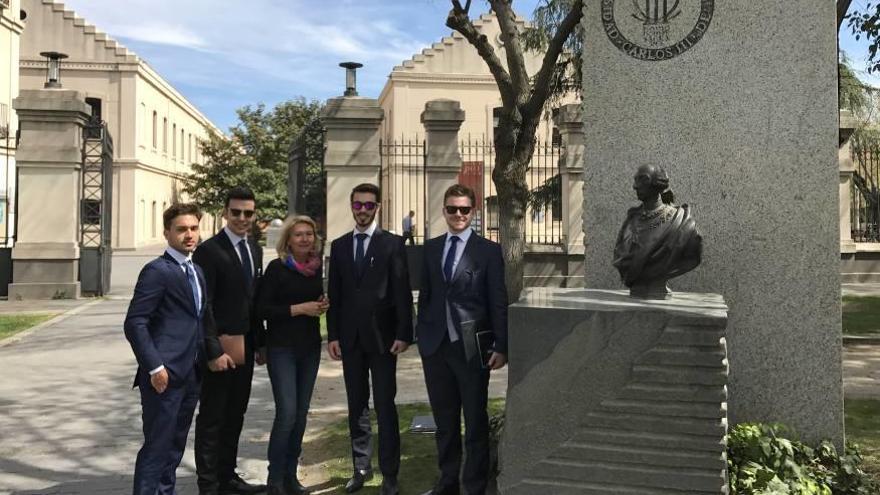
[{"x": 418, "y": 458}]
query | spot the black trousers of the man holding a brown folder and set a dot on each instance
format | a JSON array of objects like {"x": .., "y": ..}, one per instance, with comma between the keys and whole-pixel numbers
[{"x": 223, "y": 402}]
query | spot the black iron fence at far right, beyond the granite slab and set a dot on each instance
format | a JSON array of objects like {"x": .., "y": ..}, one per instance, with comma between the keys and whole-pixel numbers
[{"x": 865, "y": 204}]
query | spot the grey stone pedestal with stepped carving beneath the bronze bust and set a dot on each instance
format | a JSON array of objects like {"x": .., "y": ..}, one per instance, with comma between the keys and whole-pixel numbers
[{"x": 610, "y": 394}]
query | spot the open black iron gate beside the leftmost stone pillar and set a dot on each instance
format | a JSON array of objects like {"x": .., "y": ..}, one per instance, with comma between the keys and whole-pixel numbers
[{"x": 95, "y": 210}]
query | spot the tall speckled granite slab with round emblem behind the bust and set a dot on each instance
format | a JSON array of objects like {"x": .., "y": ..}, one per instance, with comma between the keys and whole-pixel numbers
[{"x": 724, "y": 99}]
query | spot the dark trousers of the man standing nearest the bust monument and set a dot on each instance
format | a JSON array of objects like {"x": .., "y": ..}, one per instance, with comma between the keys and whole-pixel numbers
[{"x": 455, "y": 386}]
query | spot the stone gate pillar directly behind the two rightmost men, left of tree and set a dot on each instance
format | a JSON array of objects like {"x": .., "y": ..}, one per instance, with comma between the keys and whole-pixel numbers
[{"x": 442, "y": 119}]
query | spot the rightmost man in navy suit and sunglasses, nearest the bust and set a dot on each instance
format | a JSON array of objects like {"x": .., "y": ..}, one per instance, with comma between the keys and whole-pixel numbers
[{"x": 462, "y": 334}]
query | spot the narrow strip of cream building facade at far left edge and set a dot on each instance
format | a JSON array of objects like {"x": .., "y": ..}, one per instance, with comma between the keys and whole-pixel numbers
[{"x": 11, "y": 28}]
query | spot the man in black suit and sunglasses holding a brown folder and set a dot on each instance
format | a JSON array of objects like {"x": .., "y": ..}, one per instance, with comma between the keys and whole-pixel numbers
[{"x": 232, "y": 263}]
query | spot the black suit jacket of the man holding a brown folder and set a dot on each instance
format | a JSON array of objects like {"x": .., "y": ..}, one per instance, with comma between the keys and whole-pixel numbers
[{"x": 231, "y": 299}]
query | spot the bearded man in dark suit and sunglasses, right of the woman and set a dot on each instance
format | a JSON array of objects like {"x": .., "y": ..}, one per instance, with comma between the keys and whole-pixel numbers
[{"x": 369, "y": 323}]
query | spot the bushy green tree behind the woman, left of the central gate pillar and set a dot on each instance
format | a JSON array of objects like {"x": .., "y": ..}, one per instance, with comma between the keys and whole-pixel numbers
[{"x": 256, "y": 155}]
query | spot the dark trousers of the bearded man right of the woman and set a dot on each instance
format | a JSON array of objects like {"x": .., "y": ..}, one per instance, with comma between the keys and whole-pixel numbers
[{"x": 358, "y": 367}]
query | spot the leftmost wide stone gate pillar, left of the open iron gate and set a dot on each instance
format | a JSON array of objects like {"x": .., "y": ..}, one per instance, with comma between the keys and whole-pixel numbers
[{"x": 46, "y": 254}]
